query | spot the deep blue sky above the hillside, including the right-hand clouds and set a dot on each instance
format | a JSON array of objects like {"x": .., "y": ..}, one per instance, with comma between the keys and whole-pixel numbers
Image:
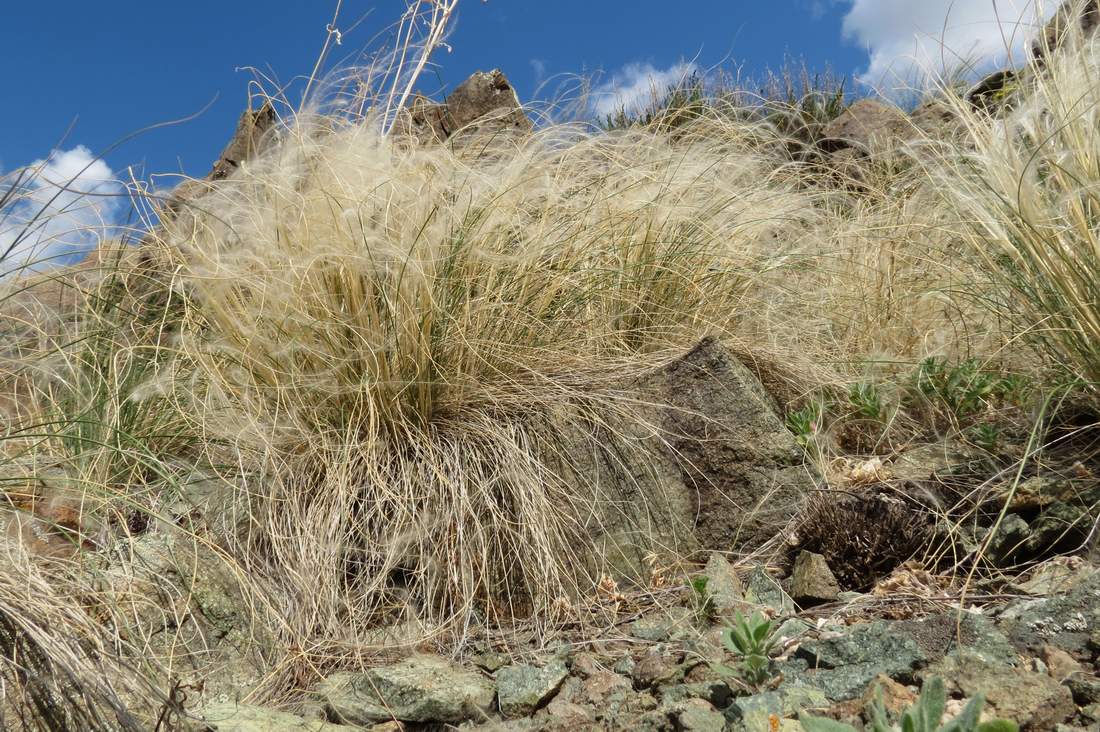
[{"x": 82, "y": 75}]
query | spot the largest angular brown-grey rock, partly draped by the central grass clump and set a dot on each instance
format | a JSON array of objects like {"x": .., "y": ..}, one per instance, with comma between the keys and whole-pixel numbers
[{"x": 712, "y": 465}]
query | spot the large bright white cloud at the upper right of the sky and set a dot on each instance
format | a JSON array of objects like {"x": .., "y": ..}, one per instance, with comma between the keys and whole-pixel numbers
[{"x": 912, "y": 40}]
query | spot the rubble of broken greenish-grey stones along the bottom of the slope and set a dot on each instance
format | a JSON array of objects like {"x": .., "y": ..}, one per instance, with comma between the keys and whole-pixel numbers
[{"x": 1031, "y": 649}]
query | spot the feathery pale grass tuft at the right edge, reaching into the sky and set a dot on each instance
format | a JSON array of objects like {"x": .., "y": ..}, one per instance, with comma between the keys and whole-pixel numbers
[{"x": 1026, "y": 183}]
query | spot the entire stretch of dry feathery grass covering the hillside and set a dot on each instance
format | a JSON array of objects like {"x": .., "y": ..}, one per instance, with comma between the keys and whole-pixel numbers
[{"x": 359, "y": 383}]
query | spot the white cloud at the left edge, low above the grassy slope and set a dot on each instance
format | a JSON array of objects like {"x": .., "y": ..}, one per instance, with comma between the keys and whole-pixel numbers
[{"x": 65, "y": 204}]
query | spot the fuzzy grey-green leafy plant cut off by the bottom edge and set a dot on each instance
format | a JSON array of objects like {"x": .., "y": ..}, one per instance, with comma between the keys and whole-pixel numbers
[{"x": 926, "y": 716}]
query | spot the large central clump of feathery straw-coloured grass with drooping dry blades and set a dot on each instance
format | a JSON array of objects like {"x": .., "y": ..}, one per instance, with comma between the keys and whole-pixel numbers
[{"x": 402, "y": 343}]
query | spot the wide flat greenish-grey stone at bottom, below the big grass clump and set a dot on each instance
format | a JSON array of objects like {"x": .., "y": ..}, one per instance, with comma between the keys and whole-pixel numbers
[{"x": 419, "y": 690}]
